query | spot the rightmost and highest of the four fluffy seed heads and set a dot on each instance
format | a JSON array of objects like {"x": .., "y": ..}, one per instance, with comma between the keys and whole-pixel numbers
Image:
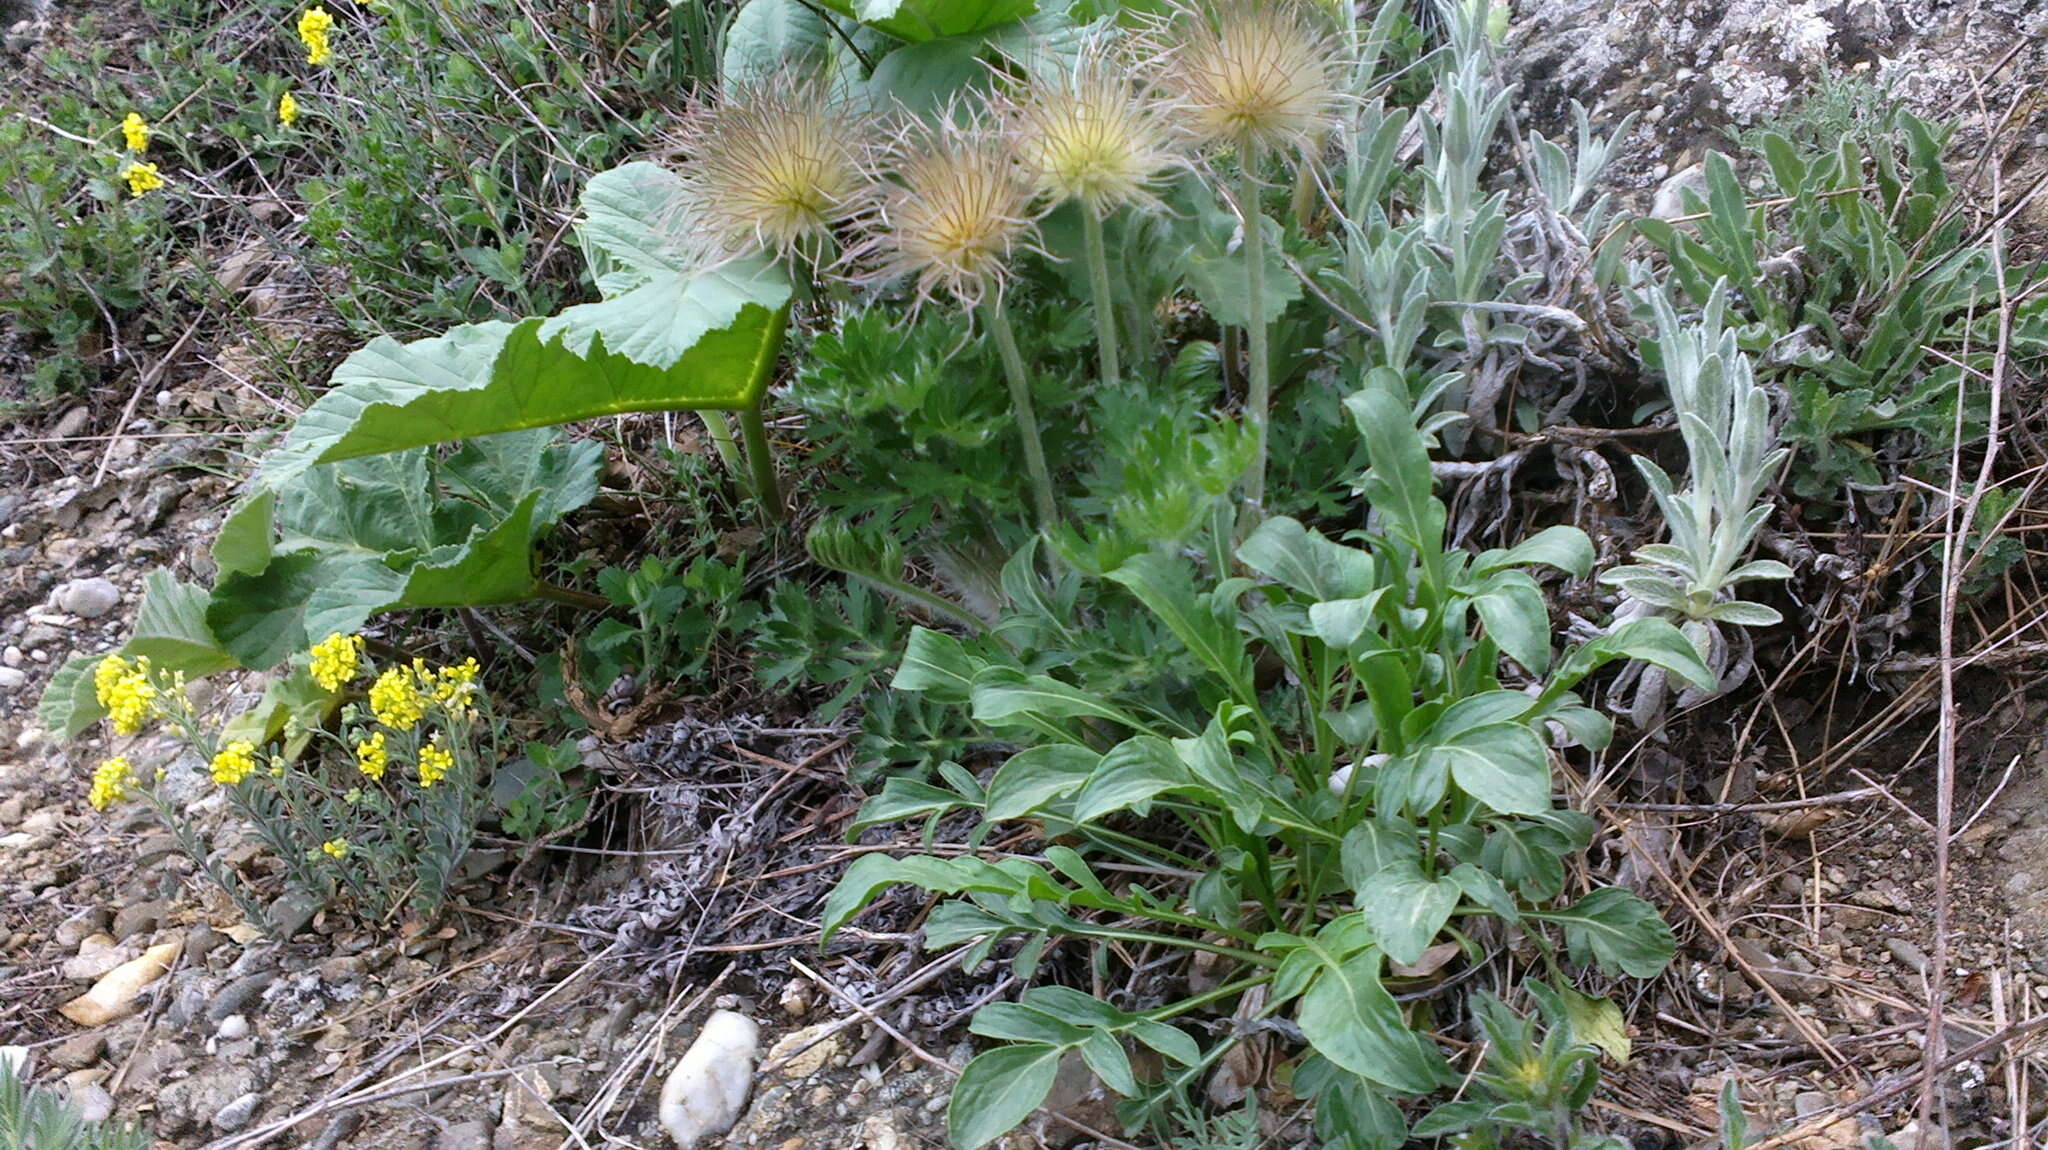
[{"x": 1254, "y": 75}]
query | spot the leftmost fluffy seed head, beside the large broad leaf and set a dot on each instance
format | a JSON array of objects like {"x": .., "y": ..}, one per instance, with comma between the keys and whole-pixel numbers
[{"x": 771, "y": 167}]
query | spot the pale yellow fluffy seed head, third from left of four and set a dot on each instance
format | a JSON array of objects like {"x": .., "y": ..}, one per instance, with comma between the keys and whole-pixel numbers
[{"x": 1091, "y": 136}]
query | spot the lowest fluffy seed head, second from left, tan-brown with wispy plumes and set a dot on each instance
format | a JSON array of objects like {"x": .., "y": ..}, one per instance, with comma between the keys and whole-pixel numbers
[{"x": 953, "y": 214}]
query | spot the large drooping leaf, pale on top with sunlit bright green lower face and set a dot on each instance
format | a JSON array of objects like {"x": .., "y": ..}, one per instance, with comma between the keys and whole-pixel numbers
[{"x": 701, "y": 341}]
